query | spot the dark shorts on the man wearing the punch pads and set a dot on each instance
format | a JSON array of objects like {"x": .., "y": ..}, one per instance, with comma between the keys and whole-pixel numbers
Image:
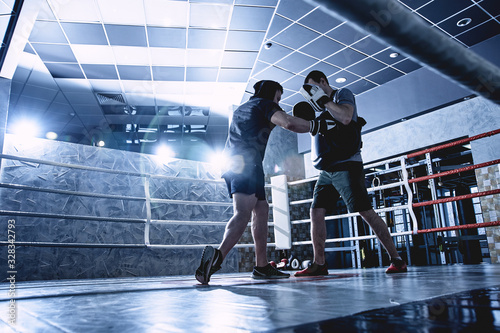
[{"x": 347, "y": 182}]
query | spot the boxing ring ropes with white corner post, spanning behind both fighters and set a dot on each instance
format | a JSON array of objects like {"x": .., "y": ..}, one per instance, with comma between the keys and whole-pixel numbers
[{"x": 280, "y": 206}]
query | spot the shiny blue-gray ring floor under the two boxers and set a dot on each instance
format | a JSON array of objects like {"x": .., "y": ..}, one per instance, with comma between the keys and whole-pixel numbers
[{"x": 448, "y": 298}]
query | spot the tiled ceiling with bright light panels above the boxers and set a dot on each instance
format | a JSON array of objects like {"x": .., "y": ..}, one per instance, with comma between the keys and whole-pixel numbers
[{"x": 158, "y": 61}]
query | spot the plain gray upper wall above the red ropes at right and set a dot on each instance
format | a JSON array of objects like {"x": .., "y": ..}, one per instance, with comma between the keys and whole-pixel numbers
[{"x": 468, "y": 118}]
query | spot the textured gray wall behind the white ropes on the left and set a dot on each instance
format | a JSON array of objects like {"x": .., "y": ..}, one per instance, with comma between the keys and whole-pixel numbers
[{"x": 41, "y": 263}]
